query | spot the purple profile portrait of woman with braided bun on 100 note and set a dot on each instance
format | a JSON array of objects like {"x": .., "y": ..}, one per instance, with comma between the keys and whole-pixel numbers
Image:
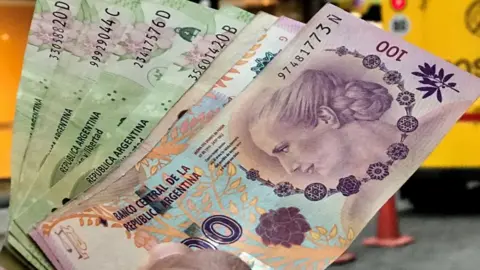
[{"x": 324, "y": 126}]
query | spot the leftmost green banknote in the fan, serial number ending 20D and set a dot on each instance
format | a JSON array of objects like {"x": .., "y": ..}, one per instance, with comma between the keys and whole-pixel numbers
[{"x": 40, "y": 61}]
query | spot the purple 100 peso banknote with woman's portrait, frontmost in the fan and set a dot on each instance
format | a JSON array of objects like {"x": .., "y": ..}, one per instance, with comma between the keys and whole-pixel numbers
[{"x": 292, "y": 170}]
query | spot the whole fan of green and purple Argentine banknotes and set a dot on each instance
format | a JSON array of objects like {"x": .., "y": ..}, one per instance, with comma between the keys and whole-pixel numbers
[{"x": 147, "y": 121}]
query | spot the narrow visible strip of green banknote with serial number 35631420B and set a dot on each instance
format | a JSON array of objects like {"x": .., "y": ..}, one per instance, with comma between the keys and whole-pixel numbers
[{"x": 100, "y": 163}]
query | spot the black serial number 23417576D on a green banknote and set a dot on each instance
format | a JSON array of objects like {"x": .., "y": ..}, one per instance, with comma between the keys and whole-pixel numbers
[{"x": 151, "y": 36}]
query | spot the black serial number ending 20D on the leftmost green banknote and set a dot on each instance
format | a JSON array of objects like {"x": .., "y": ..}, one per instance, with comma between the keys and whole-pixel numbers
[{"x": 59, "y": 25}]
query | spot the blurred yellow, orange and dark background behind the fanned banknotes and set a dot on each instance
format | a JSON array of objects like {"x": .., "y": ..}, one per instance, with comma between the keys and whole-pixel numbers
[{"x": 438, "y": 205}]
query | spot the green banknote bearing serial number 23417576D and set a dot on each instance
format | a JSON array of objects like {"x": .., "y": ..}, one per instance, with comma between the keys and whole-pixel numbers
[{"x": 130, "y": 82}]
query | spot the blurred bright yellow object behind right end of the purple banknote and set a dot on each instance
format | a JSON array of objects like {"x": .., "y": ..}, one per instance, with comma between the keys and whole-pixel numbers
[{"x": 451, "y": 30}]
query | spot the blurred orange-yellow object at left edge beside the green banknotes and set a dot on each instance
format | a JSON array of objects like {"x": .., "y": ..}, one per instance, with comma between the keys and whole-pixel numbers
[{"x": 15, "y": 17}]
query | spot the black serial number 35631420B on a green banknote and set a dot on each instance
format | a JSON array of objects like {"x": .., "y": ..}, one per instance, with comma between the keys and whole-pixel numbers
[{"x": 213, "y": 51}]
